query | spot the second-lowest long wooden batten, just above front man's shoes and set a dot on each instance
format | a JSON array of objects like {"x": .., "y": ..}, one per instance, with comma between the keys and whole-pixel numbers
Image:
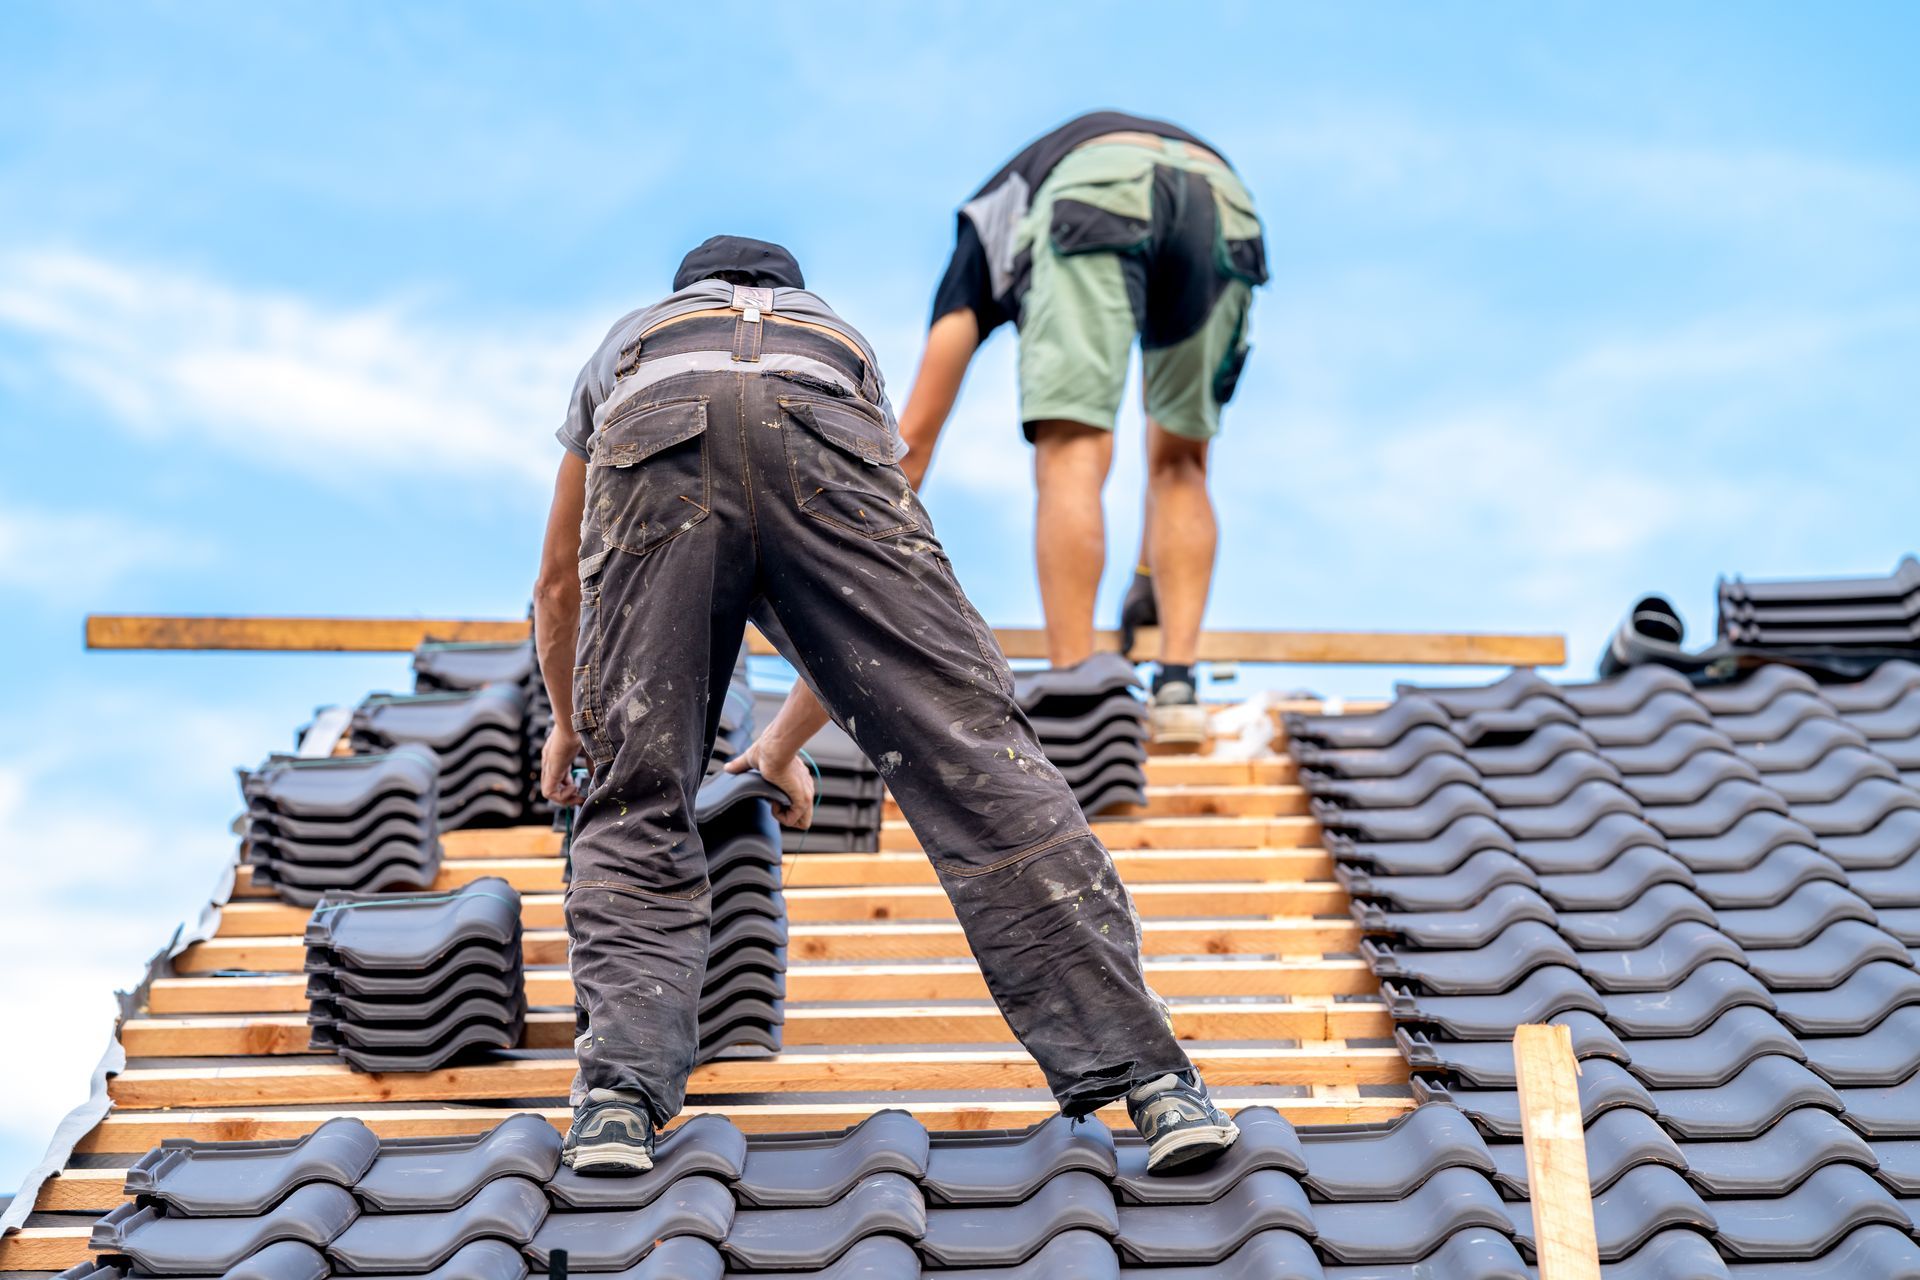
[{"x": 254, "y": 1085}]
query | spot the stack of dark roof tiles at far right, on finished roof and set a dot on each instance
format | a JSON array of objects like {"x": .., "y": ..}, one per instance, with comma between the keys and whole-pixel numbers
[{"x": 1825, "y": 613}]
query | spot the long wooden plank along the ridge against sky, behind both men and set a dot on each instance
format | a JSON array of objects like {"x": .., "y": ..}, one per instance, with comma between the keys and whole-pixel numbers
[{"x": 406, "y": 634}]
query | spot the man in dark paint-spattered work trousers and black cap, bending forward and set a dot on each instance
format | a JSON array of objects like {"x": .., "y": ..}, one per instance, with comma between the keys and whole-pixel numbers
[{"x": 731, "y": 456}]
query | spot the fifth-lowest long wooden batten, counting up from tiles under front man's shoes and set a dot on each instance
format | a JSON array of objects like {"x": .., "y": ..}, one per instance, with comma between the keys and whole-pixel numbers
[{"x": 865, "y": 943}]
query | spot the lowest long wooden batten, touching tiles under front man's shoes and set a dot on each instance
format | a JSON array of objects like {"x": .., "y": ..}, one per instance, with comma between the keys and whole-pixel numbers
[{"x": 130, "y": 1133}]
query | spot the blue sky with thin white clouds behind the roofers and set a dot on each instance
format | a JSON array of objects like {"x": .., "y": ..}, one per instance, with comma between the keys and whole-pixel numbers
[{"x": 1570, "y": 304}]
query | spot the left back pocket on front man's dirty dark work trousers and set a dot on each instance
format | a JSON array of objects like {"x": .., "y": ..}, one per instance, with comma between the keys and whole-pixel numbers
[{"x": 648, "y": 481}]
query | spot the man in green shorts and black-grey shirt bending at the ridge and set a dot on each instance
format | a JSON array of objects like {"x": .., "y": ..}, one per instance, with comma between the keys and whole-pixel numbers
[{"x": 1107, "y": 229}]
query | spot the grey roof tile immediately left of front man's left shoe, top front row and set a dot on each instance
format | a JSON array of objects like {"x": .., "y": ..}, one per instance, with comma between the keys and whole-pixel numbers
[{"x": 416, "y": 1175}]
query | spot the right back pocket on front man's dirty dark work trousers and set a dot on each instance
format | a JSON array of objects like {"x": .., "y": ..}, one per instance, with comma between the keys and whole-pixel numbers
[{"x": 842, "y": 460}]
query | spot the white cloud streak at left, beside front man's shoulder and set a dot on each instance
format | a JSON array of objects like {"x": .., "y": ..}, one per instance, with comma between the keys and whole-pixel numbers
[{"x": 327, "y": 392}]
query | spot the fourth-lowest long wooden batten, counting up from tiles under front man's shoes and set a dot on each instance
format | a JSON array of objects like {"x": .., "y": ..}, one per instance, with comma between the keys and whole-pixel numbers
[{"x": 828, "y": 984}]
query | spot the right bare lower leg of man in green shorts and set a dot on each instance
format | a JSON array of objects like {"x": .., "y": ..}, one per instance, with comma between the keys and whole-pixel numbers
[{"x": 1182, "y": 538}]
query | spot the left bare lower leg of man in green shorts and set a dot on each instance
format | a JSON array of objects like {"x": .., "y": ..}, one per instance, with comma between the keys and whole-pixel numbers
[{"x": 1070, "y": 463}]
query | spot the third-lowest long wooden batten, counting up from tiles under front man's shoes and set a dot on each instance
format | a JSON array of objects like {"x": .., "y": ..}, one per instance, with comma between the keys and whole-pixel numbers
[{"x": 260, "y": 1035}]
